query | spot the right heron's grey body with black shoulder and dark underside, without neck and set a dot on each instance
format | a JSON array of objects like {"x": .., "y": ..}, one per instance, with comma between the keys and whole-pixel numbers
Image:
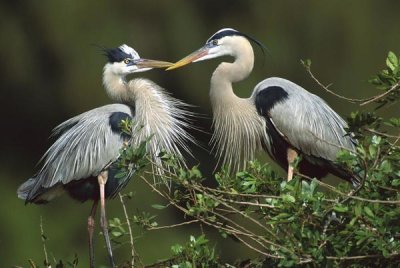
[{"x": 316, "y": 131}]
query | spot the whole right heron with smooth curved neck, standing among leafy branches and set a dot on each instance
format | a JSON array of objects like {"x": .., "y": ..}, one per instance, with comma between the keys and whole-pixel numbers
[{"x": 279, "y": 116}]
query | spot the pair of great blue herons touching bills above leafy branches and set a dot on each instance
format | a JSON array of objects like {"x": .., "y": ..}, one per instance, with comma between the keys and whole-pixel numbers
[{"x": 280, "y": 117}]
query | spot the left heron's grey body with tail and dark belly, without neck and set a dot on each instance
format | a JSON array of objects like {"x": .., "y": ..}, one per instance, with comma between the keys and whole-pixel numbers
[{"x": 86, "y": 144}]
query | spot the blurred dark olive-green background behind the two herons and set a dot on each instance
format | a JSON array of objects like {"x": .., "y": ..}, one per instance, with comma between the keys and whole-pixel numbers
[{"x": 50, "y": 71}]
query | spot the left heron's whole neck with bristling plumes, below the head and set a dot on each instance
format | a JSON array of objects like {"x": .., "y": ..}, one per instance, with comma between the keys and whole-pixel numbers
[{"x": 157, "y": 115}]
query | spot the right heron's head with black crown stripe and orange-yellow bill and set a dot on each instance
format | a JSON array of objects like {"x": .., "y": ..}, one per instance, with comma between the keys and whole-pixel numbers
[{"x": 225, "y": 42}]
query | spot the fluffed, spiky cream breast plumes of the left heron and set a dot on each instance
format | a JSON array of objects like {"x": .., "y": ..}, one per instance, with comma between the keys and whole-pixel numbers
[{"x": 159, "y": 116}]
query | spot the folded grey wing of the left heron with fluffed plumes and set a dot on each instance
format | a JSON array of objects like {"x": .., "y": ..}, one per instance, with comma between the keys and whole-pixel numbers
[{"x": 86, "y": 144}]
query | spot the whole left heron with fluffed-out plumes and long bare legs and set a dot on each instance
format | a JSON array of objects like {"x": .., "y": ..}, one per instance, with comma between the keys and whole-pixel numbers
[{"x": 80, "y": 161}]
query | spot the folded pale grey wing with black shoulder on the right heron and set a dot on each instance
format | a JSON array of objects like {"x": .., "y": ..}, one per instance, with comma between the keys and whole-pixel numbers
[{"x": 303, "y": 119}]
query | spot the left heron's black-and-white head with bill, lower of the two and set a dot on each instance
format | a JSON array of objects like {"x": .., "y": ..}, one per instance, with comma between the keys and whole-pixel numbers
[{"x": 125, "y": 60}]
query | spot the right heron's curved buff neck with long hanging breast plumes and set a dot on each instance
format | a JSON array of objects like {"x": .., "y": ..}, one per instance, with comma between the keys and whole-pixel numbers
[{"x": 238, "y": 129}]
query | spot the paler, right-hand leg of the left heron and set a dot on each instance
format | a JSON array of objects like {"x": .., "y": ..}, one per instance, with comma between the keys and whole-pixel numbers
[{"x": 102, "y": 179}]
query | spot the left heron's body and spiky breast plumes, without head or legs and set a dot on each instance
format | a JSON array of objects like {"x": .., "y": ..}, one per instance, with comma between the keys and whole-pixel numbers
[{"x": 92, "y": 140}]
